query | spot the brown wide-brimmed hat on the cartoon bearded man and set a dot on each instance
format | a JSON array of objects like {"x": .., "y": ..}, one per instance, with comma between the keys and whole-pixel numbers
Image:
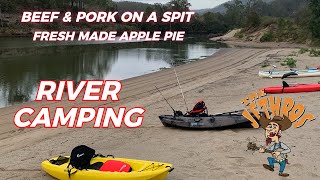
[{"x": 284, "y": 122}]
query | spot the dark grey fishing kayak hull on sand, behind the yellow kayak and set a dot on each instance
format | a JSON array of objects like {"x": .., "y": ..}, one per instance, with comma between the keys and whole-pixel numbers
[{"x": 205, "y": 122}]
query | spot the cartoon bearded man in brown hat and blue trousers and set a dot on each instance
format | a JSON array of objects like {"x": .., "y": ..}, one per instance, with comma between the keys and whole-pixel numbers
[{"x": 279, "y": 150}]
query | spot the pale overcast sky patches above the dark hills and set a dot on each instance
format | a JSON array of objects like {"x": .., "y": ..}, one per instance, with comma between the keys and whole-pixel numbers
[{"x": 196, "y": 4}]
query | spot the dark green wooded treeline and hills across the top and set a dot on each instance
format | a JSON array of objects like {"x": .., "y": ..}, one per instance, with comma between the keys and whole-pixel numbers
[{"x": 296, "y": 20}]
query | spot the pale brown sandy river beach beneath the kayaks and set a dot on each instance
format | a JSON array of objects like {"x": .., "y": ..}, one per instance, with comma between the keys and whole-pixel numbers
[{"x": 222, "y": 81}]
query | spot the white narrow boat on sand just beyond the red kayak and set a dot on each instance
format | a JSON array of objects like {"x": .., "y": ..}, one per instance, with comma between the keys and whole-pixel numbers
[{"x": 293, "y": 73}]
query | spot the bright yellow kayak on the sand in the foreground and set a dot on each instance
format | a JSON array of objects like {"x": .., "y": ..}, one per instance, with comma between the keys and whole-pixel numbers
[{"x": 141, "y": 170}]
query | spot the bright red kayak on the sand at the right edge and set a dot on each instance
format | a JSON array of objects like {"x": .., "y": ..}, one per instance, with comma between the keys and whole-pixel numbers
[{"x": 293, "y": 89}]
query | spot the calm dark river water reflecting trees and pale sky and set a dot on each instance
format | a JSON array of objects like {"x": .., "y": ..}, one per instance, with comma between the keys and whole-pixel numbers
[{"x": 24, "y": 63}]
